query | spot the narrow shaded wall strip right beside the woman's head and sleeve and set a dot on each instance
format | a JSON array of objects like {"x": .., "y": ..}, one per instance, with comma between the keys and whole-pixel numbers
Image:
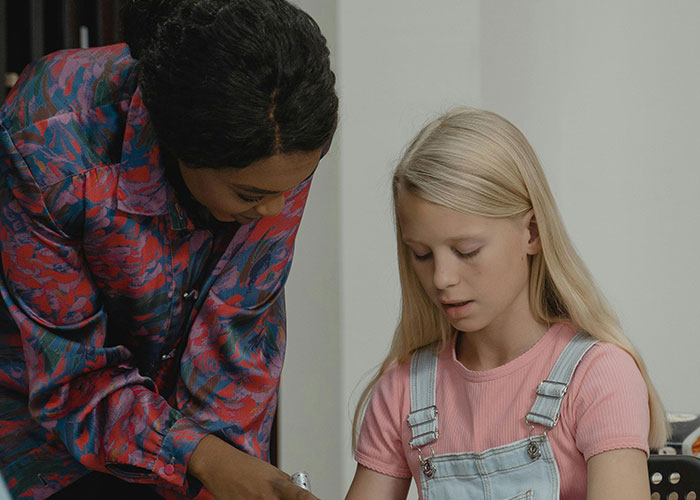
[{"x": 310, "y": 406}]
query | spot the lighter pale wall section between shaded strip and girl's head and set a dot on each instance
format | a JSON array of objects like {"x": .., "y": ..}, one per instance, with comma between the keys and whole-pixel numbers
[{"x": 401, "y": 62}]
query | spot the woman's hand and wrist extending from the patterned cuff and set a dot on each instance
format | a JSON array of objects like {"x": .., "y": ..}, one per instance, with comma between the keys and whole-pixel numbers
[{"x": 230, "y": 474}]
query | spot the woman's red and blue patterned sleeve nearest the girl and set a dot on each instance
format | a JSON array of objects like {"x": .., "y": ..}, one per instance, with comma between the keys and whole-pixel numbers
[{"x": 231, "y": 366}]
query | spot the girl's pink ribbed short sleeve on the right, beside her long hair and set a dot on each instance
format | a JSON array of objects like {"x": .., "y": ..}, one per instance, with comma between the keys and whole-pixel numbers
[{"x": 612, "y": 403}]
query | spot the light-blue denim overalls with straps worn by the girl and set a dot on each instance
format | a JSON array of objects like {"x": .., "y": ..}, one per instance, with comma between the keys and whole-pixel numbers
[{"x": 525, "y": 469}]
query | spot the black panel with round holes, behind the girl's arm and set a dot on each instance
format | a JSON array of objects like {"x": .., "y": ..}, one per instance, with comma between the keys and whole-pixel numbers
[{"x": 679, "y": 474}]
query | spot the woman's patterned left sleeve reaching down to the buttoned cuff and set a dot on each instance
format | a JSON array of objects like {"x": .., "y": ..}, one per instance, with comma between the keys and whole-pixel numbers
[{"x": 90, "y": 394}]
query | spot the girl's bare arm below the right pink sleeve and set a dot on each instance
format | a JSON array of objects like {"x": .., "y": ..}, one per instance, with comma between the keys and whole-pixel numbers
[{"x": 620, "y": 474}]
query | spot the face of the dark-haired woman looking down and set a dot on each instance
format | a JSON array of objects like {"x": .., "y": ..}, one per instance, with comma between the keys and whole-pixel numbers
[{"x": 245, "y": 194}]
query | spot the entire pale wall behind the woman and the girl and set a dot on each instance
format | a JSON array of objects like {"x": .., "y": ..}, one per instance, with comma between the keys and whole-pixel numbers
[{"x": 606, "y": 91}]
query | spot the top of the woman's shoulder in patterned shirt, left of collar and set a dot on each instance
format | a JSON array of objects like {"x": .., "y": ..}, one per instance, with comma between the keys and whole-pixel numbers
[{"x": 69, "y": 81}]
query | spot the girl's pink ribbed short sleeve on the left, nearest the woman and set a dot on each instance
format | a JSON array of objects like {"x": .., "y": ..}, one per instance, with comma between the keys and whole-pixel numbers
[{"x": 380, "y": 446}]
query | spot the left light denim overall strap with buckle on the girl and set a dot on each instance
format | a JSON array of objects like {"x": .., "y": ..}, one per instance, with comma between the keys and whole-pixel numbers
[{"x": 422, "y": 420}]
